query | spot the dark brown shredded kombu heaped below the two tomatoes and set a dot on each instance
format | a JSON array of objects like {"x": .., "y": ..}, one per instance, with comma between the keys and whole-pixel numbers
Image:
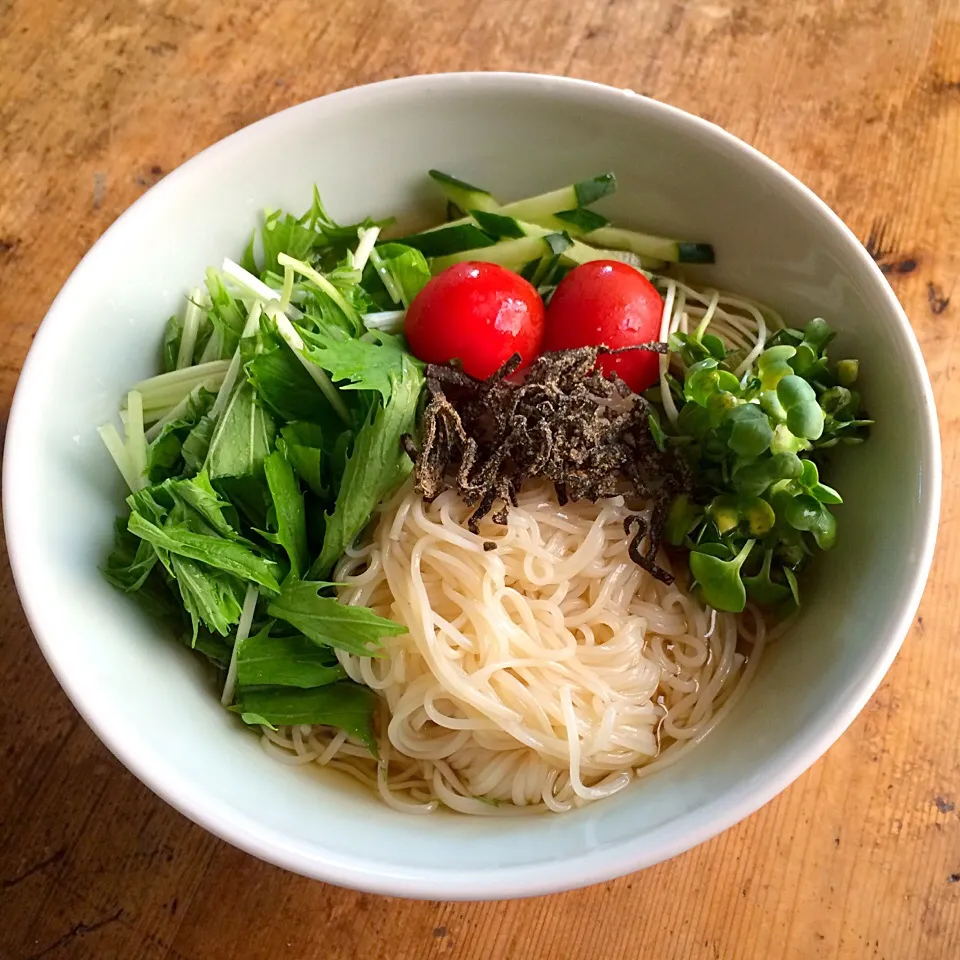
[{"x": 564, "y": 421}]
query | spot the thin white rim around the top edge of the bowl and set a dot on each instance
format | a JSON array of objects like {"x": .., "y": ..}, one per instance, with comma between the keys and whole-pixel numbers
[{"x": 664, "y": 842}]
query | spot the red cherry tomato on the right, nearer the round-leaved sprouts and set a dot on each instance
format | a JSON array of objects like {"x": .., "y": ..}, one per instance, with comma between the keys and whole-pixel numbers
[{"x": 610, "y": 303}]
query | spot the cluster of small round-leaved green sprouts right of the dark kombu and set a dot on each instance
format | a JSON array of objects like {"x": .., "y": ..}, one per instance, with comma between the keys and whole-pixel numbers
[{"x": 749, "y": 442}]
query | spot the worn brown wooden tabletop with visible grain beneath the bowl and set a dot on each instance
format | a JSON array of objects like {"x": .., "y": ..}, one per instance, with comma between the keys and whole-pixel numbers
[{"x": 861, "y": 100}]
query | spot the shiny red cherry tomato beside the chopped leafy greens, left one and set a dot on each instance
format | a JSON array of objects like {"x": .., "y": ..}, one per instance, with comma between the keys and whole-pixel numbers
[{"x": 479, "y": 313}]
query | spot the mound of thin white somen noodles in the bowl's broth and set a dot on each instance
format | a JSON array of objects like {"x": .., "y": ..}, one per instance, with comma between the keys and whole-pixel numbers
[{"x": 544, "y": 672}]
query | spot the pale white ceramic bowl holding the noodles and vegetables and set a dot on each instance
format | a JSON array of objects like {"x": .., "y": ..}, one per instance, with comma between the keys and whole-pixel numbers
[{"x": 368, "y": 149}]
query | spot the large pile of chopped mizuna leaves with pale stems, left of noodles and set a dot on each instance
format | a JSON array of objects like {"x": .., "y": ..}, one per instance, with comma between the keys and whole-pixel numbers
[{"x": 292, "y": 466}]
